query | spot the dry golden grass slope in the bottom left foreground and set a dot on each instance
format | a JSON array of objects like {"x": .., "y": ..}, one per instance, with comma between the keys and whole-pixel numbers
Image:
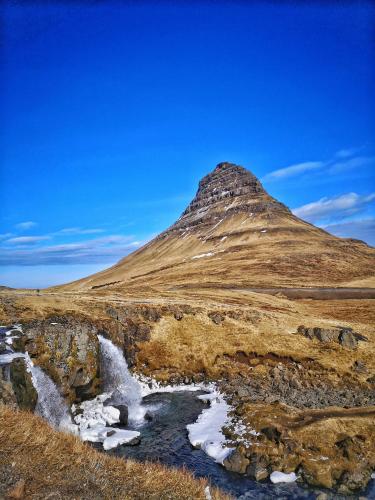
[{"x": 57, "y": 465}]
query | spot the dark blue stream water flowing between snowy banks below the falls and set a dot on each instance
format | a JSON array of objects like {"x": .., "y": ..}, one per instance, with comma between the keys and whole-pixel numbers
[{"x": 165, "y": 439}]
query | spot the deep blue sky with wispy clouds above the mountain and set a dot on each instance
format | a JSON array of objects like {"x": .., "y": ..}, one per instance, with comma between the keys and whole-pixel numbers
[{"x": 111, "y": 112}]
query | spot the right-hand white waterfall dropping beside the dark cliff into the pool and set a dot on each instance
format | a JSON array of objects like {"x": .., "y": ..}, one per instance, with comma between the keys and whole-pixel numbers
[{"x": 118, "y": 380}]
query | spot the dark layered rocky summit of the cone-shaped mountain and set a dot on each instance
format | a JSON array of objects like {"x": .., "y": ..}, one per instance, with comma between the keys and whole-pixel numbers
[{"x": 229, "y": 189}]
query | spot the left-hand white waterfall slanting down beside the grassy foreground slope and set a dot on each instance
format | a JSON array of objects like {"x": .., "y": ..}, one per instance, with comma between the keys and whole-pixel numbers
[{"x": 51, "y": 405}]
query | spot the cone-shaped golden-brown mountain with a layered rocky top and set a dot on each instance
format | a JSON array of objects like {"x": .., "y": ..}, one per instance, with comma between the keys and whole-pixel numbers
[{"x": 235, "y": 235}]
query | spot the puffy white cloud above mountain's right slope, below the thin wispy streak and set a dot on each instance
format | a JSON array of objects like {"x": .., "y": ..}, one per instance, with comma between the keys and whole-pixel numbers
[{"x": 337, "y": 207}]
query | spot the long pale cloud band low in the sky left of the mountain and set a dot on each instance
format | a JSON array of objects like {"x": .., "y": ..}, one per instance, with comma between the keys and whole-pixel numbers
[{"x": 107, "y": 249}]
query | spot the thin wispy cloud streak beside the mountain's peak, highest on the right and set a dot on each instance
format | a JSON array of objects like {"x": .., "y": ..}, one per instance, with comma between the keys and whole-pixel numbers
[{"x": 342, "y": 161}]
